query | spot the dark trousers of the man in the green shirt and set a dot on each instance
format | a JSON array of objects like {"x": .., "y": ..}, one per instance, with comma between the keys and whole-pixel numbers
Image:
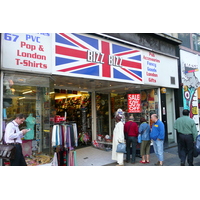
[{"x": 186, "y": 143}]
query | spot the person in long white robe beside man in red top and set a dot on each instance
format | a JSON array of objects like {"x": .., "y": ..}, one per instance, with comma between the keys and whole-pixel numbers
[{"x": 118, "y": 137}]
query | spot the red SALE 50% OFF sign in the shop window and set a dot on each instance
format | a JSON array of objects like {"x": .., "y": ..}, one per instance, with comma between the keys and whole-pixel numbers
[{"x": 134, "y": 103}]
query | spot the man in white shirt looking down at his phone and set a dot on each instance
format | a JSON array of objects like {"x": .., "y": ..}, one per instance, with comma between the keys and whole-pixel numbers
[{"x": 13, "y": 136}]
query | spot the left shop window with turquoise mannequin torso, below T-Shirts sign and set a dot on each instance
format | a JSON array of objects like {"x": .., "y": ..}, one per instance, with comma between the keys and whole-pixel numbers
[{"x": 29, "y": 95}]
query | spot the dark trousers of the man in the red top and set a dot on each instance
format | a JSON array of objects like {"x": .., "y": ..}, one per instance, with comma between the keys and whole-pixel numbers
[{"x": 133, "y": 141}]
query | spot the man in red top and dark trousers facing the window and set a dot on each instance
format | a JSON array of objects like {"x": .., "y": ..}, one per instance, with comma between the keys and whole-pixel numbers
[{"x": 131, "y": 134}]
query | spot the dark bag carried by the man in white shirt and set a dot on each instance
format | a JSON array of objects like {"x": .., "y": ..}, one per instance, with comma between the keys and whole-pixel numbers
[{"x": 7, "y": 151}]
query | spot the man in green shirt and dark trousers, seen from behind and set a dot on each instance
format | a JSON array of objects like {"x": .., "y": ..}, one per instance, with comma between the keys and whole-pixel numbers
[{"x": 187, "y": 133}]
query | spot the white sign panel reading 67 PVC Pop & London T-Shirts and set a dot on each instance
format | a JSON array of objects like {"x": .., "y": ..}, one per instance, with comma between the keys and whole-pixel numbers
[{"x": 27, "y": 52}]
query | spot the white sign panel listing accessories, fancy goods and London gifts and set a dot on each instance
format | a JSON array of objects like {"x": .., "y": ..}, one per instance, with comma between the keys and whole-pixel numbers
[{"x": 159, "y": 70}]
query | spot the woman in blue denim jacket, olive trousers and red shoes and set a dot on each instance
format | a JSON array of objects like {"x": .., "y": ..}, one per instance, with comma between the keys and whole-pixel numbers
[{"x": 145, "y": 130}]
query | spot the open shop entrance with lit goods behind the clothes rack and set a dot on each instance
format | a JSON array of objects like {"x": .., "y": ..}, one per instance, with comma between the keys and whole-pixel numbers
[{"x": 75, "y": 107}]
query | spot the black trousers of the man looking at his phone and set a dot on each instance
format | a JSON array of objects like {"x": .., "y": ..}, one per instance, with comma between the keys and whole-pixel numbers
[{"x": 19, "y": 157}]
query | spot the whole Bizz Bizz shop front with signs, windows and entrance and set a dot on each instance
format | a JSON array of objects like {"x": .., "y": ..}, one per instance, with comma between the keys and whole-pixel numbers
[{"x": 84, "y": 79}]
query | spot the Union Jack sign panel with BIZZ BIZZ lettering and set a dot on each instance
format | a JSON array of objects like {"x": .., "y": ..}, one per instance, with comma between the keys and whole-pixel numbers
[{"x": 91, "y": 57}]
